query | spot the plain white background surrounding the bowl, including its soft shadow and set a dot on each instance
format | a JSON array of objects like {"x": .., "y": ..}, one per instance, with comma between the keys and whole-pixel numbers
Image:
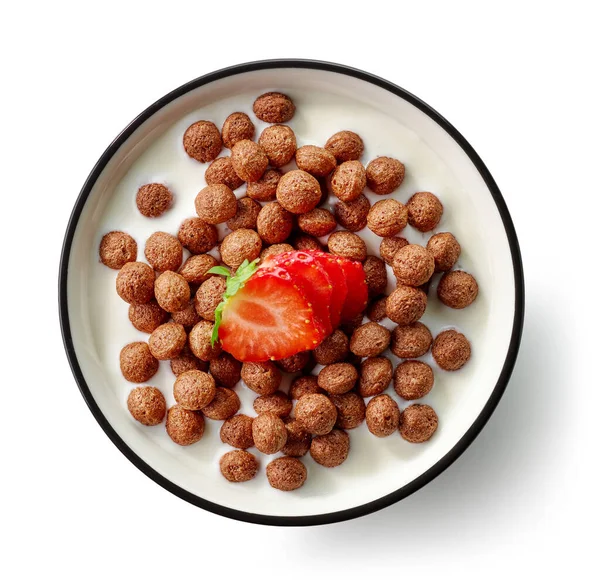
[{"x": 519, "y": 80}]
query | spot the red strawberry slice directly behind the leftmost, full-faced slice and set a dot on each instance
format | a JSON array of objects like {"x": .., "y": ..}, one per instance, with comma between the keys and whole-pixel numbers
[{"x": 313, "y": 280}]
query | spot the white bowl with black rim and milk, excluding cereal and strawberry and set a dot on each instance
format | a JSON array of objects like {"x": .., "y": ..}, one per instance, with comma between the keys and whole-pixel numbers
[{"x": 392, "y": 122}]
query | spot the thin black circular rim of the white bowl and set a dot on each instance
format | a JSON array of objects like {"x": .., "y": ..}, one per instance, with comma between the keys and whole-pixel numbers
[{"x": 433, "y": 471}]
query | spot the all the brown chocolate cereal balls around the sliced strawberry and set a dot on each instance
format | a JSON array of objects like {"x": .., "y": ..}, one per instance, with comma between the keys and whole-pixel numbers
[{"x": 323, "y": 396}]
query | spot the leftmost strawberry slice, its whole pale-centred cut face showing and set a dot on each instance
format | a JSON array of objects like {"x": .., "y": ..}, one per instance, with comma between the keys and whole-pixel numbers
[{"x": 269, "y": 318}]
